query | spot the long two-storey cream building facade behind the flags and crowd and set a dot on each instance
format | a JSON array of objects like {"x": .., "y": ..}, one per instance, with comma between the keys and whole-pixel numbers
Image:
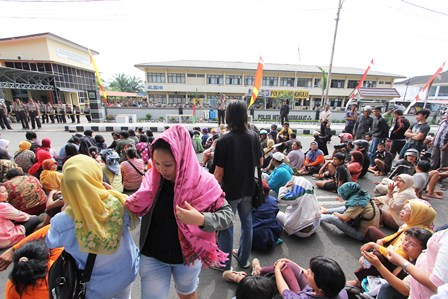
[{"x": 174, "y": 83}]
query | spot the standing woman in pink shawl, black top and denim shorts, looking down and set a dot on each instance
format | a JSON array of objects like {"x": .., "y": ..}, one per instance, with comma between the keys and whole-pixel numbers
[{"x": 182, "y": 206}]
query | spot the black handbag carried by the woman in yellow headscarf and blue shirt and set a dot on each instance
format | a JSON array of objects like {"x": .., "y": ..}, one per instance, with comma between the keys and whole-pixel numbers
[{"x": 66, "y": 281}]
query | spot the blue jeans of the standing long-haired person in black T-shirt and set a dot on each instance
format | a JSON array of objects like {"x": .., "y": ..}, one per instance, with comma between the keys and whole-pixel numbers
[{"x": 225, "y": 237}]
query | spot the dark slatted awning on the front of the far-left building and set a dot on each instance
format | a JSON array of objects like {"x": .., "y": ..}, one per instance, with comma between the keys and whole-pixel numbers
[{"x": 12, "y": 78}]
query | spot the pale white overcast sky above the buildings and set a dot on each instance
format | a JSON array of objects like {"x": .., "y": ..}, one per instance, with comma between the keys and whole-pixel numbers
[{"x": 404, "y": 37}]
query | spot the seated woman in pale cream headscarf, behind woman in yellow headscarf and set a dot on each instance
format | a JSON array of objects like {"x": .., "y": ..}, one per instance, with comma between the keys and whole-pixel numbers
[{"x": 392, "y": 203}]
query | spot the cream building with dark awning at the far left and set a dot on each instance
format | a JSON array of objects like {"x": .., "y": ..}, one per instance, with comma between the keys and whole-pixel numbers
[{"x": 47, "y": 68}]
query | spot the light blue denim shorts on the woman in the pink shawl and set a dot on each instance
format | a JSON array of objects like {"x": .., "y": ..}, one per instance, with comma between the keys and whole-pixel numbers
[{"x": 156, "y": 277}]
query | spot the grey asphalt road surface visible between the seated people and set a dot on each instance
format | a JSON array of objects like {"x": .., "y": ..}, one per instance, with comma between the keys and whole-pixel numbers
[{"x": 328, "y": 241}]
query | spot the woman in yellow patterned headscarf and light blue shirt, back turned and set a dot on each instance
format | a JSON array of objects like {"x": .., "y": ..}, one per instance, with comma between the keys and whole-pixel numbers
[{"x": 96, "y": 221}]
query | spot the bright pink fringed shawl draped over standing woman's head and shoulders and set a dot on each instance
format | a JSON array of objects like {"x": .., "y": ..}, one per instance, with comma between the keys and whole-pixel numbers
[{"x": 194, "y": 185}]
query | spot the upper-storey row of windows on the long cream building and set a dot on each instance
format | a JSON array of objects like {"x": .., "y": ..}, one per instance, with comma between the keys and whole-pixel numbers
[{"x": 249, "y": 80}]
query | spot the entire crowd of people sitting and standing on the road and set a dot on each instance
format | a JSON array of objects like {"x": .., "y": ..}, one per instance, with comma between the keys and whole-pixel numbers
[{"x": 87, "y": 197}]
